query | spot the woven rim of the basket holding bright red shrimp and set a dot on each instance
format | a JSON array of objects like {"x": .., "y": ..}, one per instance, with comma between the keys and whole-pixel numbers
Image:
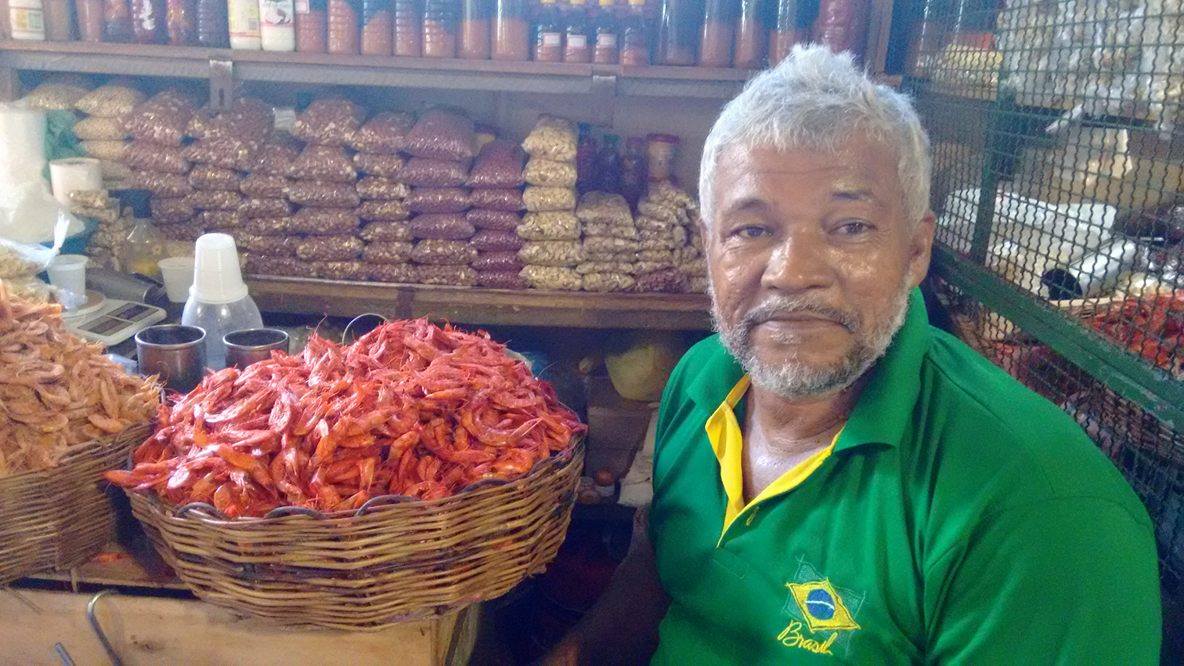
[{"x": 207, "y": 514}]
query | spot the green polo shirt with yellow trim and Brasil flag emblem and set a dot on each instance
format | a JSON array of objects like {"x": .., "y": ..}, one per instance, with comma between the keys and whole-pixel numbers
[{"x": 960, "y": 517}]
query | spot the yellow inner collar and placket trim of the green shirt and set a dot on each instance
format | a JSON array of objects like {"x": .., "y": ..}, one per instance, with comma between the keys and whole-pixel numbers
[{"x": 726, "y": 437}]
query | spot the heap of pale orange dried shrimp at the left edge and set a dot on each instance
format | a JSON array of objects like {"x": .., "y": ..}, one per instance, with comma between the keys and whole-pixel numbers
[{"x": 57, "y": 390}]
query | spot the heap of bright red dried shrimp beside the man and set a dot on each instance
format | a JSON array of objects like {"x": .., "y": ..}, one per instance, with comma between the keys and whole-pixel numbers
[{"x": 410, "y": 409}]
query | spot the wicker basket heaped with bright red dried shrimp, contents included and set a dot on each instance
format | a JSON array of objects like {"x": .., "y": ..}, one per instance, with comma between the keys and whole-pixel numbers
[{"x": 410, "y": 475}]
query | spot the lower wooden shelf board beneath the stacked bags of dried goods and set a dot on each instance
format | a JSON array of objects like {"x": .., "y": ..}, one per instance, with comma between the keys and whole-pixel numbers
[{"x": 484, "y": 308}]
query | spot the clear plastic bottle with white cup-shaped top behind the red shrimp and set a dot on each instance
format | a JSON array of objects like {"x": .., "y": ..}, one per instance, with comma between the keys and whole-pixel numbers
[{"x": 220, "y": 303}]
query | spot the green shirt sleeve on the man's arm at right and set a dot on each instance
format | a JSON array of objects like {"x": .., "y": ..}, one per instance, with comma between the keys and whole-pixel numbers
[{"x": 1067, "y": 581}]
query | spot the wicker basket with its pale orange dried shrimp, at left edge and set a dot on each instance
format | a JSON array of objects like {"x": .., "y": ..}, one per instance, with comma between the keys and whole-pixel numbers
[{"x": 67, "y": 415}]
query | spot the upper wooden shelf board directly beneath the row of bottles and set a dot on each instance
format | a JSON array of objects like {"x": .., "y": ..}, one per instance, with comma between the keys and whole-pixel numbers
[{"x": 188, "y": 62}]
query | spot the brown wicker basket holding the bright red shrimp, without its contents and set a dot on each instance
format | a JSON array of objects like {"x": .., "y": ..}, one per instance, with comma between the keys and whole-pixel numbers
[{"x": 394, "y": 560}]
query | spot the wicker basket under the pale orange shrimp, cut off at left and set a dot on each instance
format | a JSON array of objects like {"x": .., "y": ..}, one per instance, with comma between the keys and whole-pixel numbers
[{"x": 59, "y": 518}]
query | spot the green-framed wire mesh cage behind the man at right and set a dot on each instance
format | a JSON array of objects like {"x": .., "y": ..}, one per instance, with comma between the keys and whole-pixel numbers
[{"x": 1058, "y": 131}]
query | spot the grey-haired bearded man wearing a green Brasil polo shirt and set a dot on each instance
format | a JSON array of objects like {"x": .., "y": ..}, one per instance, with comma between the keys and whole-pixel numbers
[{"x": 834, "y": 479}]
